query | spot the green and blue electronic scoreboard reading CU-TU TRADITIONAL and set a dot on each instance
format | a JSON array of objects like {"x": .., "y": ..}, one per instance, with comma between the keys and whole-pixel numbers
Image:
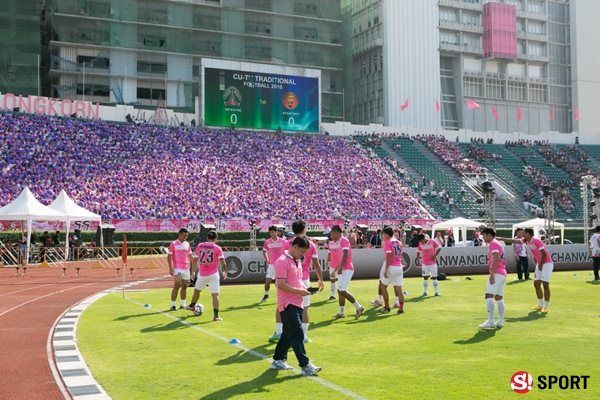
[{"x": 261, "y": 101}]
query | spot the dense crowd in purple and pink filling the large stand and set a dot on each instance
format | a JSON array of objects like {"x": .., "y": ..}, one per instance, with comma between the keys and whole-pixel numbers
[{"x": 139, "y": 171}]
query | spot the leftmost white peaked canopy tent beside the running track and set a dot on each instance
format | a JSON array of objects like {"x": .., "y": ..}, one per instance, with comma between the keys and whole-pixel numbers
[{"x": 27, "y": 208}]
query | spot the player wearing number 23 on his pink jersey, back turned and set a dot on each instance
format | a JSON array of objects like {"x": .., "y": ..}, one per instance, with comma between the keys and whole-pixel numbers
[{"x": 208, "y": 257}]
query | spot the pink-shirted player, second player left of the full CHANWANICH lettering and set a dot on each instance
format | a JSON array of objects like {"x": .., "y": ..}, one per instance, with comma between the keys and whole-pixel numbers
[{"x": 393, "y": 272}]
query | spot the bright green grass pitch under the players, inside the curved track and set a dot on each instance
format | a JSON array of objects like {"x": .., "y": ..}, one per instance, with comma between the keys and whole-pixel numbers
[{"x": 435, "y": 350}]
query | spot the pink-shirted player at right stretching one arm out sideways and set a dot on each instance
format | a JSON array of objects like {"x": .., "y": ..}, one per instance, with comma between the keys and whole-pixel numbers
[{"x": 543, "y": 269}]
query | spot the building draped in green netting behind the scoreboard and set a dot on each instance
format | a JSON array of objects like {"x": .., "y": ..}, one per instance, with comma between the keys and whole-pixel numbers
[{"x": 137, "y": 51}]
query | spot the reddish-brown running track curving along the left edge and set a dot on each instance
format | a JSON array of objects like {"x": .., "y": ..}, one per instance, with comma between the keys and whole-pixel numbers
[{"x": 29, "y": 306}]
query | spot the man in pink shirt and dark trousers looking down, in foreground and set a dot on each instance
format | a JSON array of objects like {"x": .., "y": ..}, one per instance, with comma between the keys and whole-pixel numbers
[{"x": 290, "y": 290}]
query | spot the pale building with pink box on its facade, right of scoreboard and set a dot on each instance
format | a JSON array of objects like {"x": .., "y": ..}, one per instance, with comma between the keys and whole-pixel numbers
[{"x": 514, "y": 55}]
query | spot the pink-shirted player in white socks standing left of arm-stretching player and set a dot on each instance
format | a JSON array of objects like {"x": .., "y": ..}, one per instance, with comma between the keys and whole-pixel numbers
[{"x": 494, "y": 288}]
